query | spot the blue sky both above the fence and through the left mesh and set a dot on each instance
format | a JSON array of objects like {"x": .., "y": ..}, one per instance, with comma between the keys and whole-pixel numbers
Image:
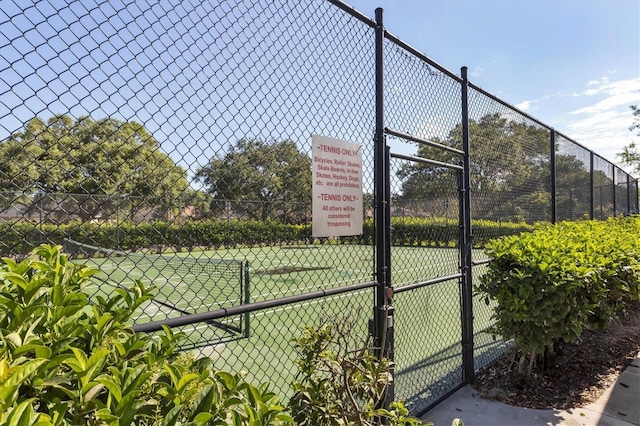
[{"x": 187, "y": 77}]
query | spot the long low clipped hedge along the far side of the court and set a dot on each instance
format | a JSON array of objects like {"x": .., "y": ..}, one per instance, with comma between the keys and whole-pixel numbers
[{"x": 19, "y": 238}]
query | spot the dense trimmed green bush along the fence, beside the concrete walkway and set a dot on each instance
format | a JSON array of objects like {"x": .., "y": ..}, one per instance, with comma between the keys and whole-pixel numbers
[{"x": 556, "y": 281}]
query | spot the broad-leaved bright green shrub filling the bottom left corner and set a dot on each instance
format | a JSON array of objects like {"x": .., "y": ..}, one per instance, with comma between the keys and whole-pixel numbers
[{"x": 65, "y": 360}]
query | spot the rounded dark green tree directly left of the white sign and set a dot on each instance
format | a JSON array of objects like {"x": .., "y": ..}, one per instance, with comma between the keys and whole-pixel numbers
[{"x": 260, "y": 180}]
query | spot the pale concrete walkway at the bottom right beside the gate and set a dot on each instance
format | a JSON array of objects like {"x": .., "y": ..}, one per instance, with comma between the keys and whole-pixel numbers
[{"x": 618, "y": 406}]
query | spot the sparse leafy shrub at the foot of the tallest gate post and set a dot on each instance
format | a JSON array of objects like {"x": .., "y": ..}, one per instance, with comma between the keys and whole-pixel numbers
[{"x": 340, "y": 380}]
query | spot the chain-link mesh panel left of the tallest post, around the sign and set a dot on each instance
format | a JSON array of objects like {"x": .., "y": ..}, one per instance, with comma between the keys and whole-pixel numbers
[{"x": 183, "y": 130}]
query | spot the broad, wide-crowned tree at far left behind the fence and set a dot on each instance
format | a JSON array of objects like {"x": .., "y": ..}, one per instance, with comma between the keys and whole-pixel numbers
[{"x": 103, "y": 164}]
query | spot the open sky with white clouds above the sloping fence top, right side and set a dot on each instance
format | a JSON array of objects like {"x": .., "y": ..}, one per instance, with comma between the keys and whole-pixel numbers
[{"x": 573, "y": 64}]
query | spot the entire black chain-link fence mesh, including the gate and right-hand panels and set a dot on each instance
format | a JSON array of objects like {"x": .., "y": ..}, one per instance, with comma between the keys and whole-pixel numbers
[{"x": 171, "y": 142}]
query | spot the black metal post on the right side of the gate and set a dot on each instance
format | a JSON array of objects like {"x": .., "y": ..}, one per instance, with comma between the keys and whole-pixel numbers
[{"x": 466, "y": 240}]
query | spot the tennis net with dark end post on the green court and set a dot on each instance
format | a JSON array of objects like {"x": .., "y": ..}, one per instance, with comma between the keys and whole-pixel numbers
[{"x": 184, "y": 284}]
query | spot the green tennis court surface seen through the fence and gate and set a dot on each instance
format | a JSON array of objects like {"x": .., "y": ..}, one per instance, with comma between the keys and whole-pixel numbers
[{"x": 427, "y": 320}]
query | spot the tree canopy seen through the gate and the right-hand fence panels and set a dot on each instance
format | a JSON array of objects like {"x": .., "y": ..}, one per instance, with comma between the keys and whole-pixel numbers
[{"x": 510, "y": 174}]
